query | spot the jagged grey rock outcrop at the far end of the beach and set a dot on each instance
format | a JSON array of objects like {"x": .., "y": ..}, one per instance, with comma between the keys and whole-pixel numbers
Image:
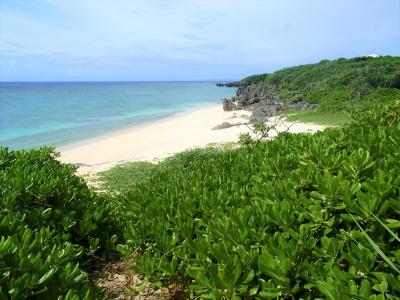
[{"x": 263, "y": 101}]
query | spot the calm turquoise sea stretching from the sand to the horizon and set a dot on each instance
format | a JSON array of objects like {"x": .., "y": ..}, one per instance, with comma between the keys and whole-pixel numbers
[{"x": 58, "y": 113}]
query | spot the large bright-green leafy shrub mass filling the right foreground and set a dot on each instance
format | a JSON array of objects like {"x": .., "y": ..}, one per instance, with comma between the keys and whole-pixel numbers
[{"x": 302, "y": 216}]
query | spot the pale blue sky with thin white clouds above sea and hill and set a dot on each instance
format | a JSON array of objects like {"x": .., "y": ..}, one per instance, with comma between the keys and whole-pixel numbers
[{"x": 186, "y": 40}]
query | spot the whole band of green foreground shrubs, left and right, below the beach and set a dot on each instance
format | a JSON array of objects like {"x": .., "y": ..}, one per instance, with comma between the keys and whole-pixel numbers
[{"x": 300, "y": 217}]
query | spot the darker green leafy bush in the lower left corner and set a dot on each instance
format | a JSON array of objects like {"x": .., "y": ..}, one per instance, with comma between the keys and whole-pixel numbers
[{"x": 51, "y": 224}]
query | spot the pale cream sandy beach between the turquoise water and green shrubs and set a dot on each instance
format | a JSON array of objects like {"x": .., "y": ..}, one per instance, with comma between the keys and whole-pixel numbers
[{"x": 162, "y": 138}]
